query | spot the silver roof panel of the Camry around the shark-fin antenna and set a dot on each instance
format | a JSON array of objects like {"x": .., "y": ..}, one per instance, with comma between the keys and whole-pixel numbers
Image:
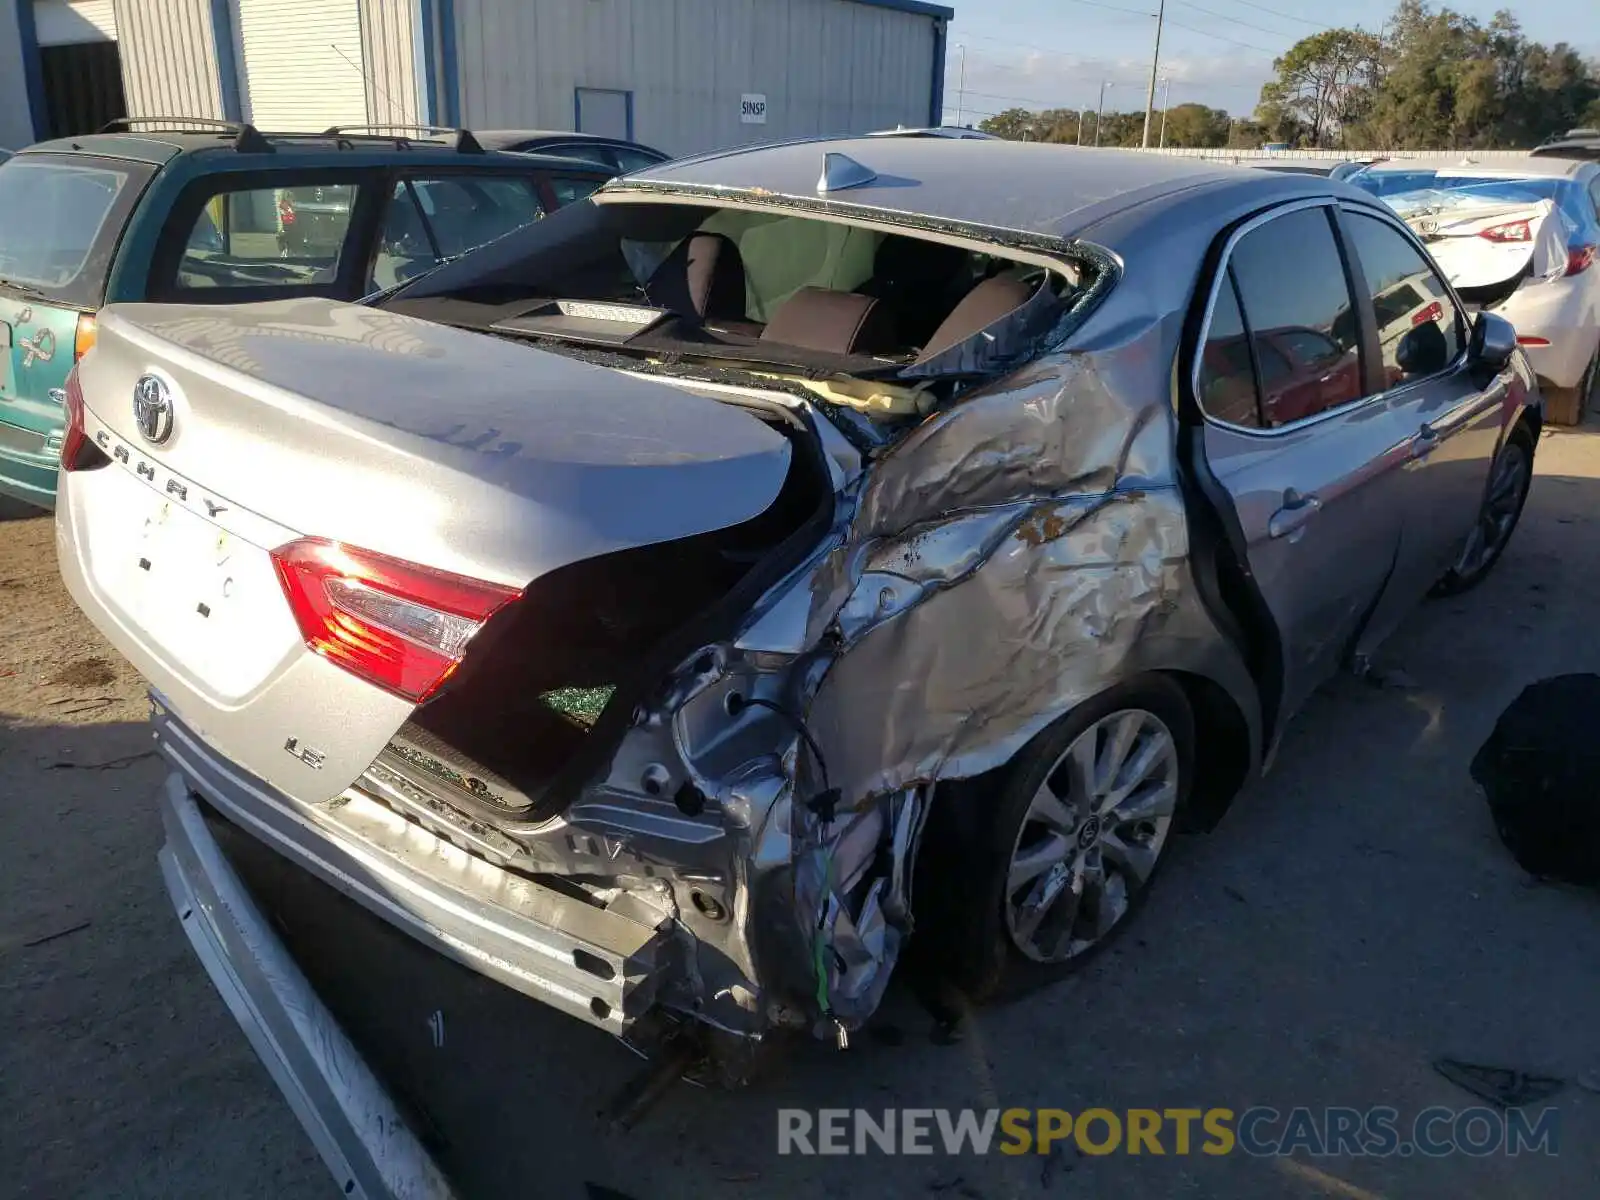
[{"x": 1033, "y": 188}]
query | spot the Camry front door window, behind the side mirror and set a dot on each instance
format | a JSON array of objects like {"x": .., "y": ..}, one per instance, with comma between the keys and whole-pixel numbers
[{"x": 1417, "y": 319}]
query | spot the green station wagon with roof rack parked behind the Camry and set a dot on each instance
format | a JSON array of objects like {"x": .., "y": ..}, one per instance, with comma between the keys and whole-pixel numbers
[{"x": 220, "y": 214}]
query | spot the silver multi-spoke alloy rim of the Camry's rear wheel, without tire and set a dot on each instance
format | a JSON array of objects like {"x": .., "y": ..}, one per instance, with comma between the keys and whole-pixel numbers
[{"x": 1092, "y": 836}]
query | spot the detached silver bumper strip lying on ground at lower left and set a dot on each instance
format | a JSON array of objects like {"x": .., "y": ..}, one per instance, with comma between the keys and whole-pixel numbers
[{"x": 346, "y": 1111}]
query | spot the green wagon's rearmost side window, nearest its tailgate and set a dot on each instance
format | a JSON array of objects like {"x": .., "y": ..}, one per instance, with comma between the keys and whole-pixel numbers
[{"x": 268, "y": 238}]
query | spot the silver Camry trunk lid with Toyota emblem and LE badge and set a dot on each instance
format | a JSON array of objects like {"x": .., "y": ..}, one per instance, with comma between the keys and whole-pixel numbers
[{"x": 449, "y": 450}]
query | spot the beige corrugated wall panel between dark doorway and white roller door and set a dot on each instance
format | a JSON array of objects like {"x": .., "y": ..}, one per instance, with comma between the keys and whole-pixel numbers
[{"x": 169, "y": 58}]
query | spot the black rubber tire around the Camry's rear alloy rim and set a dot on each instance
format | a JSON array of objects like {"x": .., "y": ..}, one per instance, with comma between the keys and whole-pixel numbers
[{"x": 974, "y": 831}]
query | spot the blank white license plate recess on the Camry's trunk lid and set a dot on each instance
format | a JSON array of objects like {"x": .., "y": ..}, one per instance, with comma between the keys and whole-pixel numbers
[{"x": 201, "y": 598}]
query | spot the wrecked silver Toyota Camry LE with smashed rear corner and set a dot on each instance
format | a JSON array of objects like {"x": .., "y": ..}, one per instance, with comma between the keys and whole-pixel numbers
[{"x": 778, "y": 562}]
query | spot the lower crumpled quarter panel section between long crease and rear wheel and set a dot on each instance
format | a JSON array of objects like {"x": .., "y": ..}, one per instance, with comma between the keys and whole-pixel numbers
[{"x": 958, "y": 684}]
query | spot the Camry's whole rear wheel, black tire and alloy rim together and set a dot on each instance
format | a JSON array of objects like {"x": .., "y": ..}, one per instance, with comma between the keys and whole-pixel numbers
[{"x": 1050, "y": 870}]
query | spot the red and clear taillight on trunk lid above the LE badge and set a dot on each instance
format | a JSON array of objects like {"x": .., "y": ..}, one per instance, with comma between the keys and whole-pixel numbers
[{"x": 401, "y": 626}]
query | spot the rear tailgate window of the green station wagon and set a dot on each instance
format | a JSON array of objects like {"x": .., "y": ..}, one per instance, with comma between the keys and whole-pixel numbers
[{"x": 60, "y": 222}]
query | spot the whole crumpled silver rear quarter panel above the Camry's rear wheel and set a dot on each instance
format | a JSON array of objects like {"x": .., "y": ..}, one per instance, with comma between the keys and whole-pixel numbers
[{"x": 1007, "y": 561}]
